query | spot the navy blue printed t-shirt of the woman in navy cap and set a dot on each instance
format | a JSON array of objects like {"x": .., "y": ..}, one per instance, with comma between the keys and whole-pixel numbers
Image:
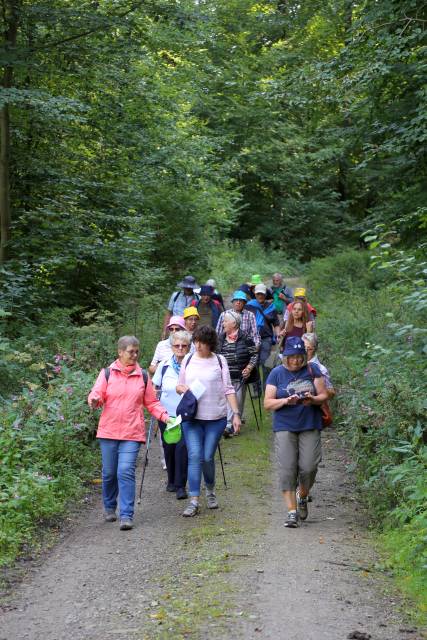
[{"x": 297, "y": 417}]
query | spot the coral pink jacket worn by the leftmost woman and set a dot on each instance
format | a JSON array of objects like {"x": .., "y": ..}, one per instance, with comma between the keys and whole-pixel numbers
[{"x": 123, "y": 399}]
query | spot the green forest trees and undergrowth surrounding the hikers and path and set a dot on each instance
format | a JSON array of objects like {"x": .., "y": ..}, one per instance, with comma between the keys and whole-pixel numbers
[{"x": 140, "y": 141}]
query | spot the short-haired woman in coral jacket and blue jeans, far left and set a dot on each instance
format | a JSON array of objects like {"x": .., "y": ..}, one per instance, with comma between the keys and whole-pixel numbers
[{"x": 122, "y": 390}]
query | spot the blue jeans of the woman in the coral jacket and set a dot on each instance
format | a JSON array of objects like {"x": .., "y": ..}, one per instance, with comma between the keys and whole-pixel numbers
[{"x": 118, "y": 475}]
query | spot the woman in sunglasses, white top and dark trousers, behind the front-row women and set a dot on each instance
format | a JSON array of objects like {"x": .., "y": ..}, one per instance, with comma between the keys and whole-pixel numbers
[{"x": 166, "y": 379}]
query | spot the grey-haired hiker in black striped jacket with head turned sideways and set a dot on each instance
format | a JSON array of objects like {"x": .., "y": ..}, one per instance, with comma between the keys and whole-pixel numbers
[{"x": 241, "y": 355}]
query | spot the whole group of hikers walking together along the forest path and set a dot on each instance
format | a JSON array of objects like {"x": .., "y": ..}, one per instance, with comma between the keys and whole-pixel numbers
[{"x": 196, "y": 384}]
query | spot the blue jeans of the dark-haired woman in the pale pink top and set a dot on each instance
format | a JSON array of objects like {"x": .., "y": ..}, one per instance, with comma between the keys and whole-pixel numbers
[{"x": 201, "y": 438}]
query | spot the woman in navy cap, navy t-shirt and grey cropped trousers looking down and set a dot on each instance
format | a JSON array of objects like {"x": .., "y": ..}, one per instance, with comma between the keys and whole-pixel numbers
[{"x": 294, "y": 392}]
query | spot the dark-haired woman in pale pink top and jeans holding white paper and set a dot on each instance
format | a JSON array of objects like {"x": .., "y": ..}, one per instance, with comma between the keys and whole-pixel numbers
[{"x": 207, "y": 376}]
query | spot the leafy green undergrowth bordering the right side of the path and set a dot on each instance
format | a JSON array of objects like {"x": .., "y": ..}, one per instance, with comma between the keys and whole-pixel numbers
[{"x": 372, "y": 327}]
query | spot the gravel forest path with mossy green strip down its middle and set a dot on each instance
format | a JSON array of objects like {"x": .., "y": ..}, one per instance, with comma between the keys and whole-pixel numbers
[{"x": 233, "y": 573}]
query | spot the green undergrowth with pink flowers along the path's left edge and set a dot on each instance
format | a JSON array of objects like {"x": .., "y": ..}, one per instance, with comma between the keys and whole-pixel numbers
[{"x": 46, "y": 429}]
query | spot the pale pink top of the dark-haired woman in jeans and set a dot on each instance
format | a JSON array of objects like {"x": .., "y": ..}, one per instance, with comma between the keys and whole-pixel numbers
[{"x": 212, "y": 404}]
